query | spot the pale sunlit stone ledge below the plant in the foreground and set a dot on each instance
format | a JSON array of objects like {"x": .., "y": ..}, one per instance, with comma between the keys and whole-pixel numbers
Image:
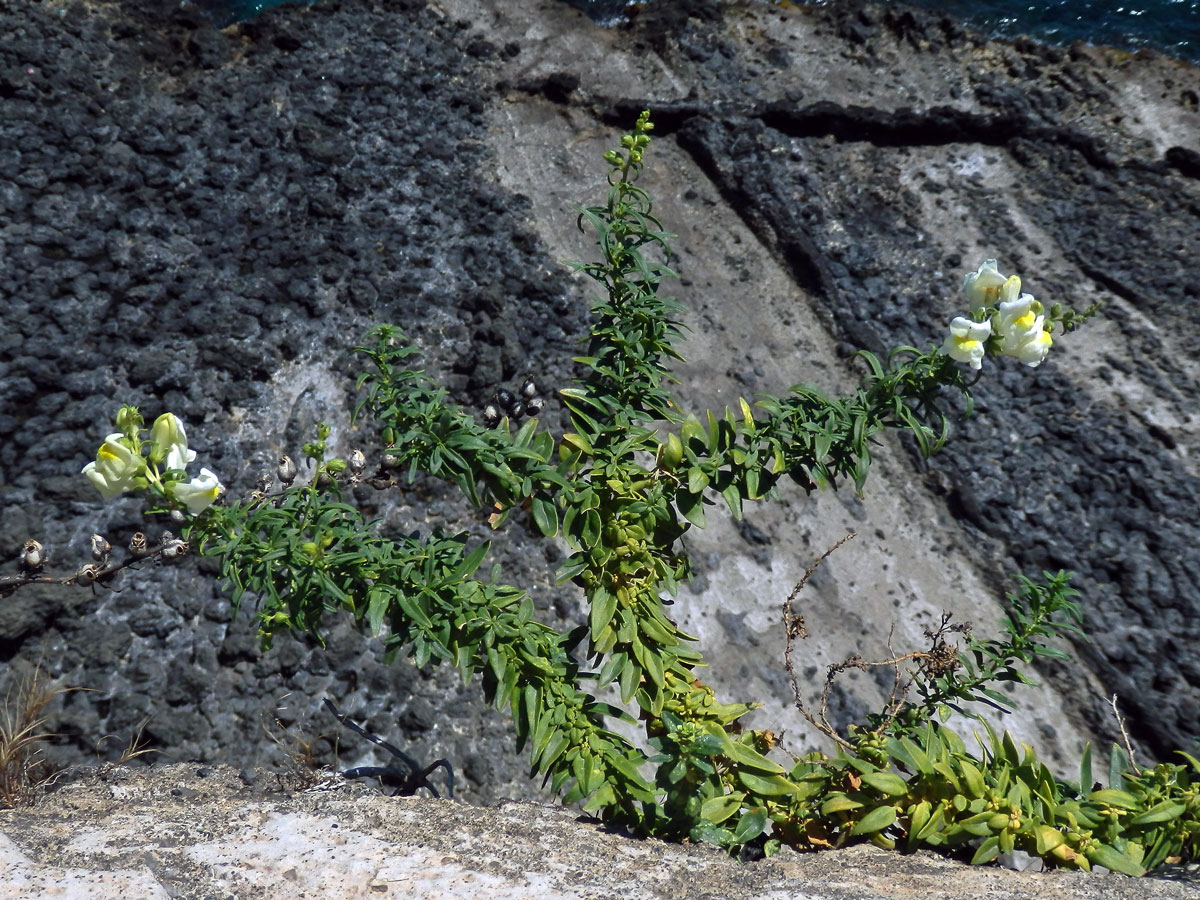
[{"x": 191, "y": 833}]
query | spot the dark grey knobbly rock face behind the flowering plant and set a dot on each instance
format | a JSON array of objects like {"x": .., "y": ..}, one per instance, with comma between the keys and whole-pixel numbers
[{"x": 208, "y": 221}]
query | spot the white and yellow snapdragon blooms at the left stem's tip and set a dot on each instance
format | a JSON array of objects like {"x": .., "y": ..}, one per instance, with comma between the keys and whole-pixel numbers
[{"x": 129, "y": 463}]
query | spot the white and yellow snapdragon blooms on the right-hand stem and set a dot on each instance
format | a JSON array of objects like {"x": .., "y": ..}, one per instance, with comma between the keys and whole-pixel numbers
[{"x": 1003, "y": 321}]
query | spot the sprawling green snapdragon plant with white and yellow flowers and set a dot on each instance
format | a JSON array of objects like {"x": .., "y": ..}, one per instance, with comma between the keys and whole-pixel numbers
[{"x": 634, "y": 475}]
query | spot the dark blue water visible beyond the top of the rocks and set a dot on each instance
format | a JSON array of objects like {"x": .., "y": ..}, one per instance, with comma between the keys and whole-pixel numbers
[{"x": 1172, "y": 27}]
